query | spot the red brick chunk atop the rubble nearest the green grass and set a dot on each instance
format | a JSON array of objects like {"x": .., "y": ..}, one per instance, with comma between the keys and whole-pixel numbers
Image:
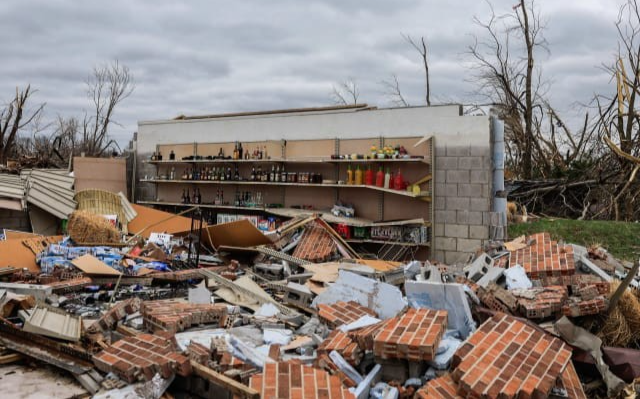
[{"x": 544, "y": 257}]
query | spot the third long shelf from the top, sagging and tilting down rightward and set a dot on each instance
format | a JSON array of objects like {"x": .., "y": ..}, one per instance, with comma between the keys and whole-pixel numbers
[{"x": 293, "y": 212}]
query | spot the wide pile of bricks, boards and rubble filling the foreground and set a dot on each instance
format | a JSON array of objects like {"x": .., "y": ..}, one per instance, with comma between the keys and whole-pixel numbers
[{"x": 297, "y": 313}]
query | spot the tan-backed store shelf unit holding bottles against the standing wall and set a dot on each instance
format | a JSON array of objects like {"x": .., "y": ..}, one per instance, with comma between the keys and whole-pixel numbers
[{"x": 375, "y": 206}]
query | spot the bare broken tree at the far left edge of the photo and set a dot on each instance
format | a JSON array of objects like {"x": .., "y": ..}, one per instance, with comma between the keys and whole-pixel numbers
[{"x": 14, "y": 118}]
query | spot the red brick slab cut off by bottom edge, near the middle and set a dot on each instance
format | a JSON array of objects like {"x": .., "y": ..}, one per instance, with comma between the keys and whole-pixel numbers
[{"x": 286, "y": 380}]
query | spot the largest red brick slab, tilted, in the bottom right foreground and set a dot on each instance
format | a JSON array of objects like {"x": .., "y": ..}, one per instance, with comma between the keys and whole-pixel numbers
[{"x": 508, "y": 358}]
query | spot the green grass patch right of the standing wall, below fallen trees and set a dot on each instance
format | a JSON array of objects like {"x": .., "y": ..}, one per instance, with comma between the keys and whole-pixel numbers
[{"x": 621, "y": 239}]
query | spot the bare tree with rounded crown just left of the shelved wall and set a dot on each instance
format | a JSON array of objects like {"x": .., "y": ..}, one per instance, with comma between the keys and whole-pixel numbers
[{"x": 107, "y": 87}]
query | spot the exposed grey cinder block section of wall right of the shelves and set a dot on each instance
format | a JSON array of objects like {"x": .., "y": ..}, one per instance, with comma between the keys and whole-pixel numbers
[{"x": 462, "y": 200}]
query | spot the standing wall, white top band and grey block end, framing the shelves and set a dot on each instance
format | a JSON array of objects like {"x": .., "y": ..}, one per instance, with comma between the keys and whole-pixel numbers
[{"x": 462, "y": 181}]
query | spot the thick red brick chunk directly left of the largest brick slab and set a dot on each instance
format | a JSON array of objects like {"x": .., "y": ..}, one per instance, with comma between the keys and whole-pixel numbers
[{"x": 414, "y": 336}]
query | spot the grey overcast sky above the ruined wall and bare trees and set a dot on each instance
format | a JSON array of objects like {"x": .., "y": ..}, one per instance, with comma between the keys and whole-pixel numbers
[{"x": 202, "y": 57}]
